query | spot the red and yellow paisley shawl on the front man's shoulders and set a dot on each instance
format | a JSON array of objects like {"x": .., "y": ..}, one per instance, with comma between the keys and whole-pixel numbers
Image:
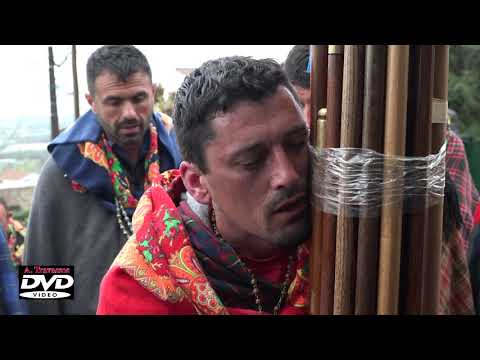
[{"x": 161, "y": 258}]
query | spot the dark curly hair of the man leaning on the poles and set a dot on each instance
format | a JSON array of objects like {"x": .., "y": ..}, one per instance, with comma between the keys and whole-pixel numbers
[{"x": 214, "y": 88}]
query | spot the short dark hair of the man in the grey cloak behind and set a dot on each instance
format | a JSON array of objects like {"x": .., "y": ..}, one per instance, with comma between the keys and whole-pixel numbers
[{"x": 120, "y": 60}]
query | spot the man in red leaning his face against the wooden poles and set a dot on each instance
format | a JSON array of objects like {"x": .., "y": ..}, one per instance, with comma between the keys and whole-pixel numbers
[{"x": 225, "y": 234}]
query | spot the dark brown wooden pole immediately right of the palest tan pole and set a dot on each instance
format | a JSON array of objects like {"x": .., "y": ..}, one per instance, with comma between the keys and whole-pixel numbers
[{"x": 418, "y": 144}]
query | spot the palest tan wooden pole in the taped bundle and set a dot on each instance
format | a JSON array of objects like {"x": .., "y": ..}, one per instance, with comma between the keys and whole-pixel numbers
[{"x": 391, "y": 222}]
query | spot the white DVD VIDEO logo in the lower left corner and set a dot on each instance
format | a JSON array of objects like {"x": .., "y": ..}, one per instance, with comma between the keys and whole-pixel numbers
[{"x": 49, "y": 286}]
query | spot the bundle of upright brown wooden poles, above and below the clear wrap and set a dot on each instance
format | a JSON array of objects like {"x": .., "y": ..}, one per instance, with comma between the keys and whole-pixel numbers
[{"x": 390, "y": 99}]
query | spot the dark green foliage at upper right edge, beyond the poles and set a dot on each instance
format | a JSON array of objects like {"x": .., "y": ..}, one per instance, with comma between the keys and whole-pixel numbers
[{"x": 464, "y": 88}]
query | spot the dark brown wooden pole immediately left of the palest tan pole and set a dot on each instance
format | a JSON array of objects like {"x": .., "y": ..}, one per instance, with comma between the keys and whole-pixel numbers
[{"x": 372, "y": 138}]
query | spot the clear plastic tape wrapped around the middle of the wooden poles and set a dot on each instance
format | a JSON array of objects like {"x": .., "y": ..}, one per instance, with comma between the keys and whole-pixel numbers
[{"x": 362, "y": 181}]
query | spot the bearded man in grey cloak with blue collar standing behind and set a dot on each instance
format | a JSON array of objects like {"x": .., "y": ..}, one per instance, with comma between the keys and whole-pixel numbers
[{"x": 98, "y": 170}]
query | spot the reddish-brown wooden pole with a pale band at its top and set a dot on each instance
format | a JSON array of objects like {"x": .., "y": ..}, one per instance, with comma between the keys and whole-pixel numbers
[{"x": 332, "y": 140}]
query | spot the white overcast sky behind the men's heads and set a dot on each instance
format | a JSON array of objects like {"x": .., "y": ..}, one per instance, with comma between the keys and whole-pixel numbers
[{"x": 24, "y": 76}]
